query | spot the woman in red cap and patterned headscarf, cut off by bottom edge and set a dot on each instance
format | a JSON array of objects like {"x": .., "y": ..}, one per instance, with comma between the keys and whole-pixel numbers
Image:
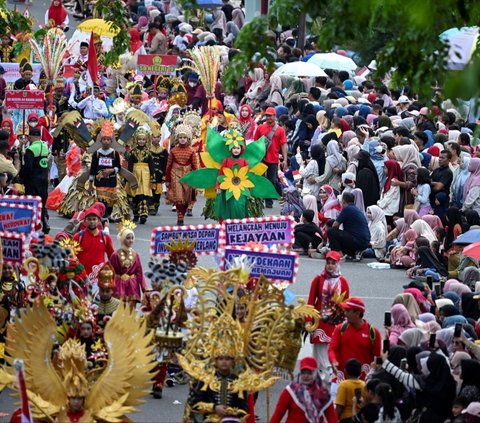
[{"x": 306, "y": 399}]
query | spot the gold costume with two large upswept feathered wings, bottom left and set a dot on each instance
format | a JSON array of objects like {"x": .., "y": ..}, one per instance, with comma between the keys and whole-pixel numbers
[{"x": 109, "y": 396}]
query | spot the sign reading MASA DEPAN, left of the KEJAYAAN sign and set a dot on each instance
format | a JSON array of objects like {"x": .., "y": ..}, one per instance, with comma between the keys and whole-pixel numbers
[{"x": 206, "y": 237}]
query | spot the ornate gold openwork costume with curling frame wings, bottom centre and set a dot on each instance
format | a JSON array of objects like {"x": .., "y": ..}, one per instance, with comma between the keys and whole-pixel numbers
[{"x": 266, "y": 343}]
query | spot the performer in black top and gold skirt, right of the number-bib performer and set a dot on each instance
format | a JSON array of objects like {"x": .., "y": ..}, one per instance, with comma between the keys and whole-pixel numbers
[{"x": 140, "y": 163}]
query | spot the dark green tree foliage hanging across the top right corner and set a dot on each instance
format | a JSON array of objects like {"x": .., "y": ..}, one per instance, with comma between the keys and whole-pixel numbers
[{"x": 400, "y": 34}]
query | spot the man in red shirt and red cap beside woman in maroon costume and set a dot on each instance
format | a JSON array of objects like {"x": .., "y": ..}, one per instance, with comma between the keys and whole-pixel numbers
[{"x": 95, "y": 244}]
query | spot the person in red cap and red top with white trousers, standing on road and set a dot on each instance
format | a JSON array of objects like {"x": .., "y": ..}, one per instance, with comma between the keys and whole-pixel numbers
[{"x": 326, "y": 292}]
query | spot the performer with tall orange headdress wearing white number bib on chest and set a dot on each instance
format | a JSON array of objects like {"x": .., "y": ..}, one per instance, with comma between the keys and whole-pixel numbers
[{"x": 104, "y": 168}]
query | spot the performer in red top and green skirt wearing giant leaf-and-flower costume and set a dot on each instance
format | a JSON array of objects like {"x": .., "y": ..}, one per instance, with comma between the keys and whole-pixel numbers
[{"x": 230, "y": 207}]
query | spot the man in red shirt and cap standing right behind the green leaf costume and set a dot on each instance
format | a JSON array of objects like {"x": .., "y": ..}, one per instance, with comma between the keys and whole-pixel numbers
[{"x": 275, "y": 140}]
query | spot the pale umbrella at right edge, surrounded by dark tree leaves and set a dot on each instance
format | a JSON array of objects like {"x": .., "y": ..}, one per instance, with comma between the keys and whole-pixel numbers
[{"x": 462, "y": 44}]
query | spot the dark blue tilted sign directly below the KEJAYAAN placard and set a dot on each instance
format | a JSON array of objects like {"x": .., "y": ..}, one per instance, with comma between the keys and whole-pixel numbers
[{"x": 274, "y": 265}]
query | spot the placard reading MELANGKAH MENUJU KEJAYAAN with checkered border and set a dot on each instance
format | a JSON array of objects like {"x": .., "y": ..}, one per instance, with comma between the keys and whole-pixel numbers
[{"x": 269, "y": 230}]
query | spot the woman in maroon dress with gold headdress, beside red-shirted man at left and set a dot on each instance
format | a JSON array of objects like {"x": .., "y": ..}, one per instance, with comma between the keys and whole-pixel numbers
[{"x": 129, "y": 280}]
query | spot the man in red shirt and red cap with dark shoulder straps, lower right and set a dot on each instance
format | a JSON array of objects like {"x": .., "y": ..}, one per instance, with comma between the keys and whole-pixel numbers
[{"x": 355, "y": 338}]
